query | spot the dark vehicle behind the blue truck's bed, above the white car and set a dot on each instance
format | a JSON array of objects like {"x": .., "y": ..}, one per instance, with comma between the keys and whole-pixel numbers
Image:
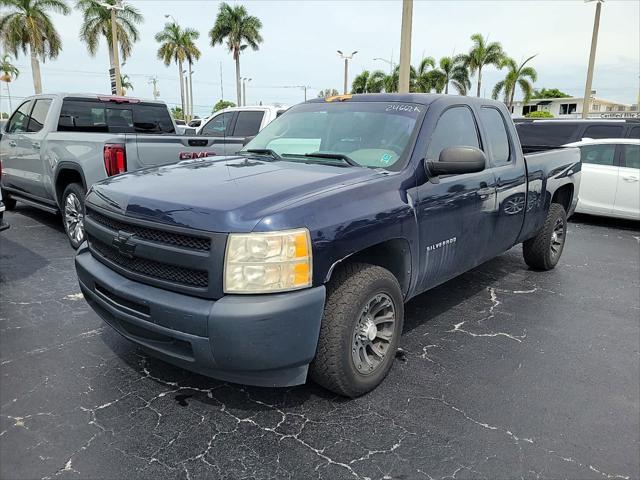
[{"x": 539, "y": 135}]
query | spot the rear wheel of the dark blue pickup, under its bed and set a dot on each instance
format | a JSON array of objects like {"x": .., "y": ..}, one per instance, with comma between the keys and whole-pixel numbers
[{"x": 543, "y": 251}]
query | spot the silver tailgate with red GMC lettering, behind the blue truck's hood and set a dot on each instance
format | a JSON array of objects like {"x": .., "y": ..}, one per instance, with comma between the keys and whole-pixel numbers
[{"x": 165, "y": 149}]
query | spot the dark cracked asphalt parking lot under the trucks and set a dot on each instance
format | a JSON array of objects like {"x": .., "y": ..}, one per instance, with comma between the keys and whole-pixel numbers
[{"x": 504, "y": 373}]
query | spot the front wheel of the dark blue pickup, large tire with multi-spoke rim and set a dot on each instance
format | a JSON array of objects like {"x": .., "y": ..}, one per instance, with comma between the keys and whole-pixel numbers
[{"x": 362, "y": 323}]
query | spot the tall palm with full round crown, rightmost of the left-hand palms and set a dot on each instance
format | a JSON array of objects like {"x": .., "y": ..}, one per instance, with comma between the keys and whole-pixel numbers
[{"x": 240, "y": 30}]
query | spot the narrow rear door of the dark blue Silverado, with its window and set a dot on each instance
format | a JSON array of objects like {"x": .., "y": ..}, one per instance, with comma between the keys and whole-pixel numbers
[{"x": 511, "y": 182}]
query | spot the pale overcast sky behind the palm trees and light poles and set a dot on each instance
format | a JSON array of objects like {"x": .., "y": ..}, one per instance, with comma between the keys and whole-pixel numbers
[{"x": 301, "y": 39}]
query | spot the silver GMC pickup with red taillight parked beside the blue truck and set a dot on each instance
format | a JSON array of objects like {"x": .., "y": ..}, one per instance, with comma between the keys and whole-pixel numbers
[{"x": 56, "y": 146}]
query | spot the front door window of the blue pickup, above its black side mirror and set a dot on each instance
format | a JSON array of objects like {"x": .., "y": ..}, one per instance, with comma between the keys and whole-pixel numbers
[{"x": 456, "y": 128}]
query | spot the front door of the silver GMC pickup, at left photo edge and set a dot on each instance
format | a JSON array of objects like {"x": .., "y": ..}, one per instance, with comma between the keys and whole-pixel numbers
[{"x": 13, "y": 174}]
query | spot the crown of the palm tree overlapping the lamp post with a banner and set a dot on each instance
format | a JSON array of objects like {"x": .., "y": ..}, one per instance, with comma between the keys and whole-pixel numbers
[{"x": 96, "y": 24}]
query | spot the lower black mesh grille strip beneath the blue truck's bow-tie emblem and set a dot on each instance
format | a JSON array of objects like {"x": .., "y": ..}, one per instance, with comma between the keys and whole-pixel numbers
[{"x": 150, "y": 268}]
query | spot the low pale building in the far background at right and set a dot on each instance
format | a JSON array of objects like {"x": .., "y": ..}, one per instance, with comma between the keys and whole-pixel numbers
[{"x": 571, "y": 107}]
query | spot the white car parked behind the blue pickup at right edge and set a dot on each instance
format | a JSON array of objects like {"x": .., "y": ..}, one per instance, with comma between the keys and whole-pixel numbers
[{"x": 610, "y": 183}]
